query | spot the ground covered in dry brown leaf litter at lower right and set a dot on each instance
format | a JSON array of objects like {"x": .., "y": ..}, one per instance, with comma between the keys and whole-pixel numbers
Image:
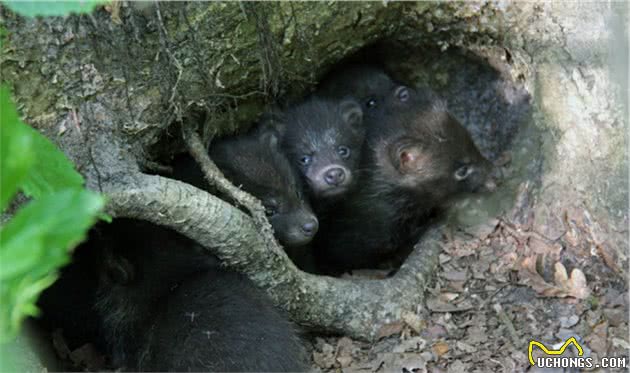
[{"x": 497, "y": 288}]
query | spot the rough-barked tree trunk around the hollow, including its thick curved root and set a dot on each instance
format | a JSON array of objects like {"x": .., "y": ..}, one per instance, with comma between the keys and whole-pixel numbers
[{"x": 108, "y": 88}]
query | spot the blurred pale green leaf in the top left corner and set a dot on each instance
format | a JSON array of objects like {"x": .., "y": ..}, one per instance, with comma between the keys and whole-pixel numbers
[{"x": 51, "y": 8}]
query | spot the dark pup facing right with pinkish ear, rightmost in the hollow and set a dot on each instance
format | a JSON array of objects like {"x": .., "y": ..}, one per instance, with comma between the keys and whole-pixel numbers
[{"x": 417, "y": 158}]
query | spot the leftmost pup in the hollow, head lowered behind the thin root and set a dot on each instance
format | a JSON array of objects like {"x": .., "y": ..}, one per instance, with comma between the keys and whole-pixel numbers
[{"x": 255, "y": 163}]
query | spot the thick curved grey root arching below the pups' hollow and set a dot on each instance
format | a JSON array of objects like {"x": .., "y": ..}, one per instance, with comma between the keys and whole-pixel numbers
[{"x": 358, "y": 308}]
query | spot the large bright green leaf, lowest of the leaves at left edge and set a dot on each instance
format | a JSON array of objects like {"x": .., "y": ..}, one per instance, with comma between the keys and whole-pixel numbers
[{"x": 34, "y": 244}]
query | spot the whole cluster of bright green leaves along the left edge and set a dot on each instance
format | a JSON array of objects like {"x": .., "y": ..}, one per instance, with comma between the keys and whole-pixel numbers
[{"x": 36, "y": 242}]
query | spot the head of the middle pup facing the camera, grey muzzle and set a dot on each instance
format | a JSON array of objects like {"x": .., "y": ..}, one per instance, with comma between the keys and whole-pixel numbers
[{"x": 323, "y": 138}]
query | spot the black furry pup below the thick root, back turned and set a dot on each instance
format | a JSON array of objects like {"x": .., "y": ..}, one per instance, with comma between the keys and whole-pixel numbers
[{"x": 167, "y": 306}]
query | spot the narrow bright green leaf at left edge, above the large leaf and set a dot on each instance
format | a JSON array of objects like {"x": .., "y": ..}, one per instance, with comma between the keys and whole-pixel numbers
[{"x": 16, "y": 149}]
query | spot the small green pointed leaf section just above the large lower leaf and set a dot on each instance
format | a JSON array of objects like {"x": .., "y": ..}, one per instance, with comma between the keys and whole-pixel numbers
[{"x": 52, "y": 170}]
